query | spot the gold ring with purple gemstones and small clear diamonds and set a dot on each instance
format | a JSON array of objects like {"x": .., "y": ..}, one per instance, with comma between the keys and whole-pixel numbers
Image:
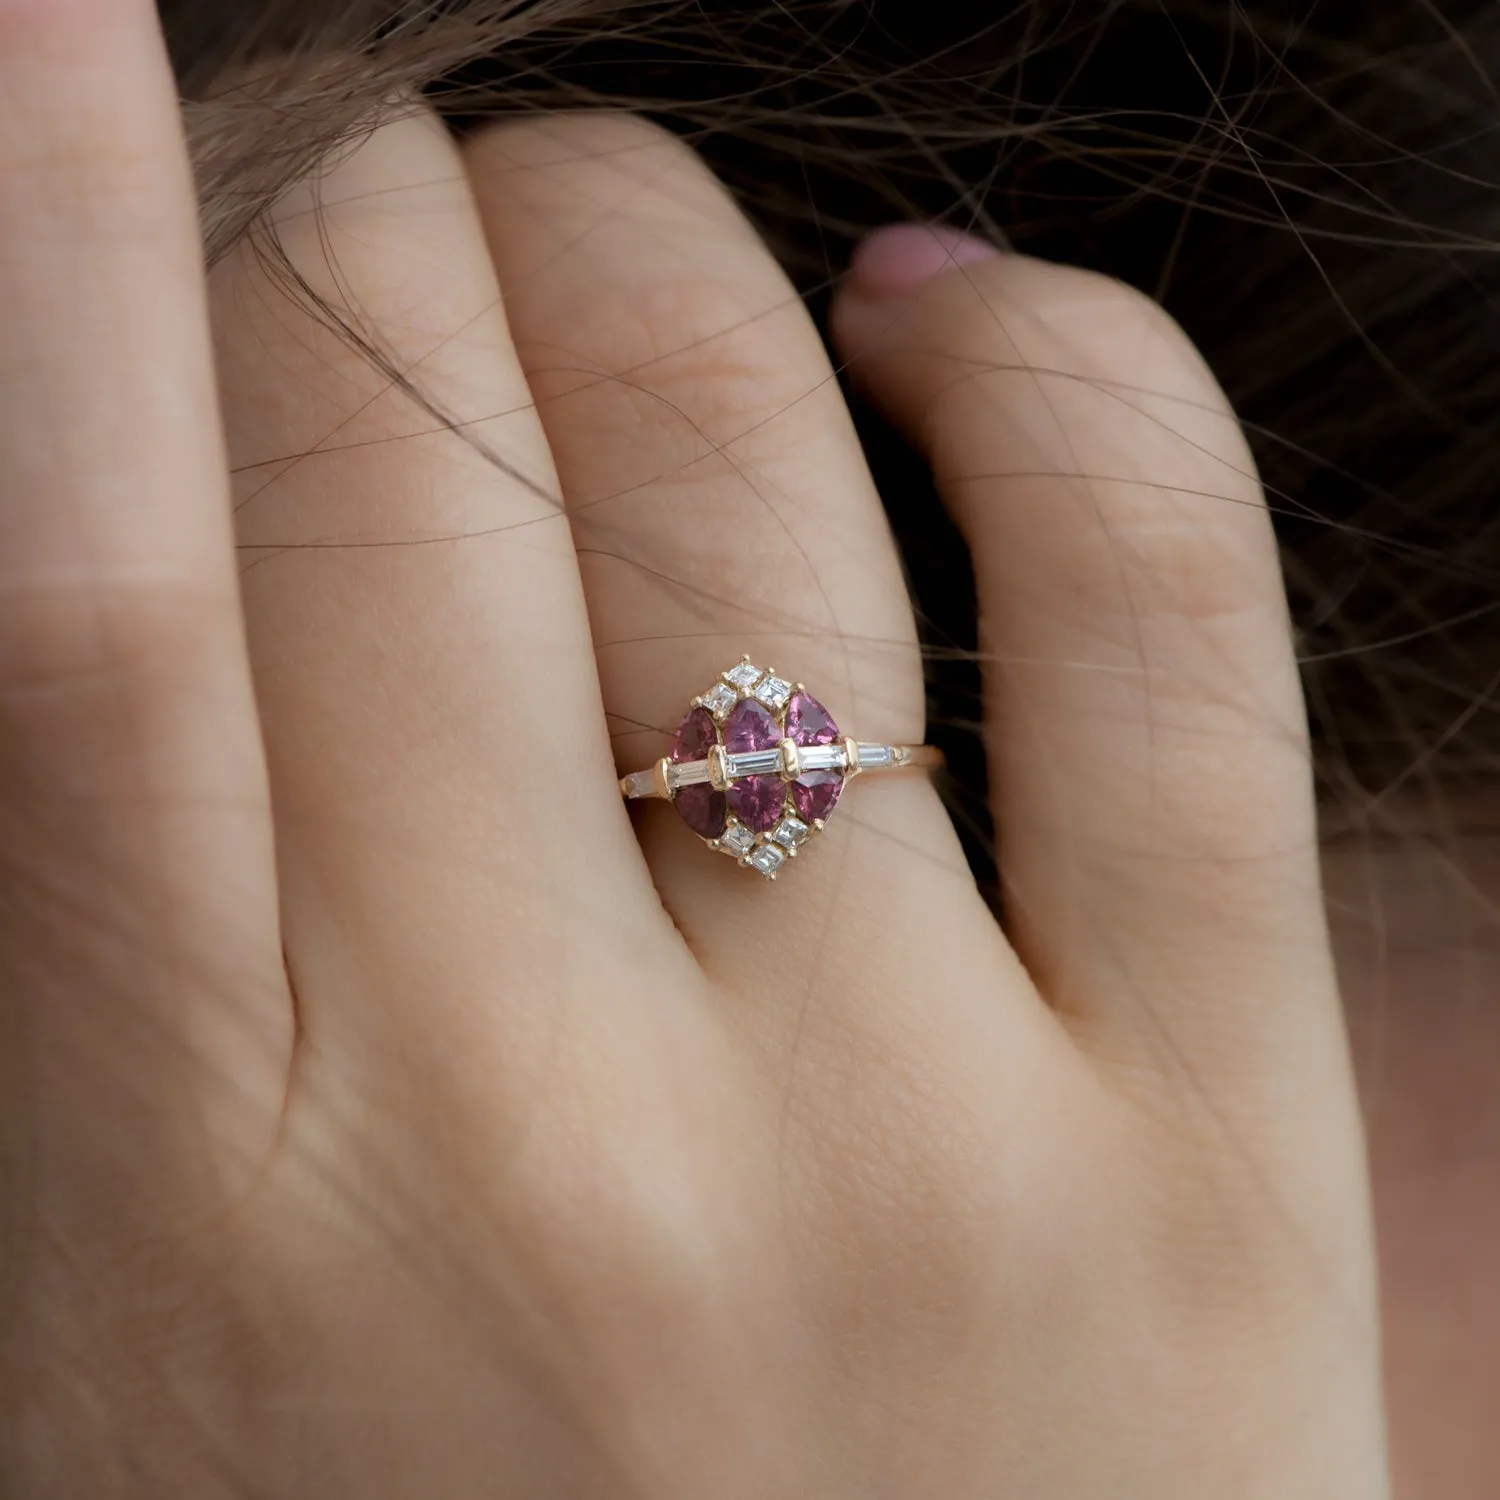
[{"x": 758, "y": 766}]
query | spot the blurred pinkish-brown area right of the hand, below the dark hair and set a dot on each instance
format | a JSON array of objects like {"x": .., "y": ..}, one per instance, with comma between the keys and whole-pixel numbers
[{"x": 1420, "y": 961}]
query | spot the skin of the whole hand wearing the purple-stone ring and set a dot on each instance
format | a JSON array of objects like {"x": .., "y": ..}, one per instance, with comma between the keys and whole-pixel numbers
[{"x": 391, "y": 1112}]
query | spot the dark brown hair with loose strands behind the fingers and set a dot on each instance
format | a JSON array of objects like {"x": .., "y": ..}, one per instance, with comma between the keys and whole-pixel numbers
[{"x": 1307, "y": 191}]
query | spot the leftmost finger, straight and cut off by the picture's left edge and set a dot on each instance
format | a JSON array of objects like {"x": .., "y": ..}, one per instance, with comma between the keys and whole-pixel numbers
[{"x": 139, "y": 938}]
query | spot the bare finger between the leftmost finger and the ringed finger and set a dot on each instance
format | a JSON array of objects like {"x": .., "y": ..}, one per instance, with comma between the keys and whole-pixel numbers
[{"x": 443, "y": 779}]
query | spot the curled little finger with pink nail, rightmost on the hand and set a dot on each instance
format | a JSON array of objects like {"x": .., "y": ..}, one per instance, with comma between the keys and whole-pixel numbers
[{"x": 1145, "y": 724}]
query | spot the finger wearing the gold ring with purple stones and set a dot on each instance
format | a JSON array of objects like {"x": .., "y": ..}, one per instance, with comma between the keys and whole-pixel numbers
[{"x": 719, "y": 499}]
